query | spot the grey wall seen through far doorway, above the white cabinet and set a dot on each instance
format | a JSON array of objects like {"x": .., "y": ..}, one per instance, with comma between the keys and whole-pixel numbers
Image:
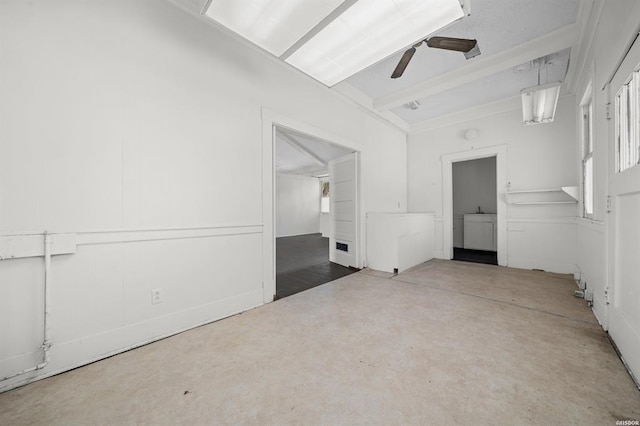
[{"x": 474, "y": 185}]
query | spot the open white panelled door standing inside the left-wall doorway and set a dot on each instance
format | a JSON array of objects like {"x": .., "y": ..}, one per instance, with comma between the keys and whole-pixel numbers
[{"x": 343, "y": 210}]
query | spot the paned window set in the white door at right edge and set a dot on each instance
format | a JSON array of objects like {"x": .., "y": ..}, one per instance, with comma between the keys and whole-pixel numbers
[{"x": 627, "y": 103}]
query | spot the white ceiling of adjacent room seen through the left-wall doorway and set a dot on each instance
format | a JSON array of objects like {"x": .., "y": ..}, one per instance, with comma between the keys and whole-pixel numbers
[{"x": 300, "y": 154}]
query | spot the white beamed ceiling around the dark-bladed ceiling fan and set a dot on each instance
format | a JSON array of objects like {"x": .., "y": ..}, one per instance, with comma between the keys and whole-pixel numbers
[{"x": 510, "y": 33}]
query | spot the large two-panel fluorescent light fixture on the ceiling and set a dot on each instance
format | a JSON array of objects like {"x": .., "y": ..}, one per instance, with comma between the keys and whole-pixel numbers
[{"x": 331, "y": 40}]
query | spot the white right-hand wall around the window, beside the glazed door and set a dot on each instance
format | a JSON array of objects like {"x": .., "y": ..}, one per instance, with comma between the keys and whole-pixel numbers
[{"x": 615, "y": 28}]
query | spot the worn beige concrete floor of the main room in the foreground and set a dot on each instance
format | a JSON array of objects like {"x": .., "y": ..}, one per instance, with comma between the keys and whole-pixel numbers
[{"x": 445, "y": 342}]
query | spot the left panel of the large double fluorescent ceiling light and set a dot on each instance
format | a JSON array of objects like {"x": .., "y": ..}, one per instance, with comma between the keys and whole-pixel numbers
[{"x": 274, "y": 25}]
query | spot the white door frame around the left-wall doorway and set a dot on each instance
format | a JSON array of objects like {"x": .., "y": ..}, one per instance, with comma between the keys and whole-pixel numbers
[{"x": 271, "y": 119}]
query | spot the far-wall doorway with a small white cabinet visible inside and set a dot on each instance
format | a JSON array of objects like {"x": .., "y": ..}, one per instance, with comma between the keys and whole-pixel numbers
[{"x": 475, "y": 211}]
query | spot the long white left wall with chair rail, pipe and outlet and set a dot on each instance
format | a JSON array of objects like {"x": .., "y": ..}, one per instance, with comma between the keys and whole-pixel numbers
[{"x": 137, "y": 127}]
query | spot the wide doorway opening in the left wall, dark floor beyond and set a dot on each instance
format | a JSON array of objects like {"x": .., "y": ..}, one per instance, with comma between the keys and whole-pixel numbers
[{"x": 305, "y": 166}]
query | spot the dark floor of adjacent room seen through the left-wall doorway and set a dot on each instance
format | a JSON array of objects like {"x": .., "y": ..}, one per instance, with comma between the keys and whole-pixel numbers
[{"x": 302, "y": 262}]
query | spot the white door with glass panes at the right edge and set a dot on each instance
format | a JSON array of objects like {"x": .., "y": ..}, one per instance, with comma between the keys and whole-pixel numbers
[{"x": 624, "y": 234}]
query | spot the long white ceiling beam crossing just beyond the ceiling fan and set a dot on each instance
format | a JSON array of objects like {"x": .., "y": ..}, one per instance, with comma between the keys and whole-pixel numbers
[{"x": 483, "y": 67}]
